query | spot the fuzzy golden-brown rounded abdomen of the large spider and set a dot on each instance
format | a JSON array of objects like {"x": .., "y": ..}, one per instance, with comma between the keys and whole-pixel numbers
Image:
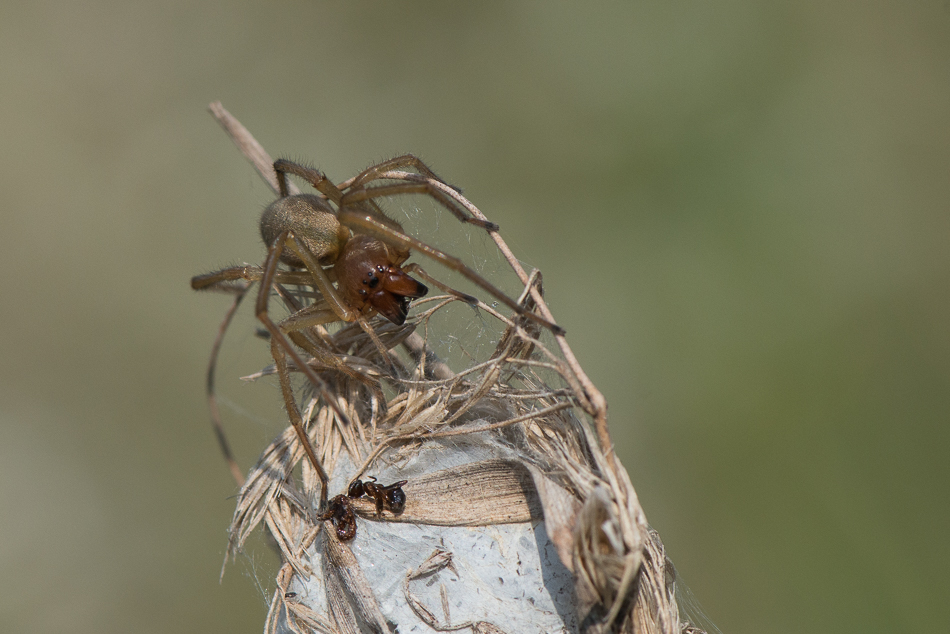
[{"x": 312, "y": 221}]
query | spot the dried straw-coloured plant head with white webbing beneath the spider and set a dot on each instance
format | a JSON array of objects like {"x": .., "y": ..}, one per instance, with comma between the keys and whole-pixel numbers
[{"x": 519, "y": 517}]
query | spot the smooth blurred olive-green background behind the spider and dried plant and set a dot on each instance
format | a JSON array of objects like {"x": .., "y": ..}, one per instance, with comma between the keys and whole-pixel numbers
[{"x": 741, "y": 212}]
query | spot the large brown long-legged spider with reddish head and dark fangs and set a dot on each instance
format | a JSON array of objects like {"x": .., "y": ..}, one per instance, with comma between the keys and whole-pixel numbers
[{"x": 342, "y": 236}]
